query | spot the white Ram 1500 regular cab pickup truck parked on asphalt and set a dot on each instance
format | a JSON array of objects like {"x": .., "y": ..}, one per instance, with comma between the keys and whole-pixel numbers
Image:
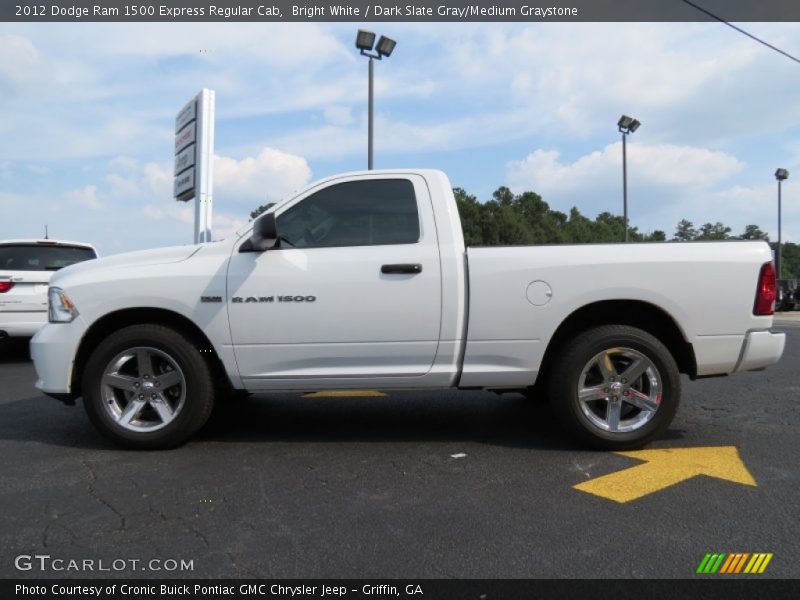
[{"x": 362, "y": 281}]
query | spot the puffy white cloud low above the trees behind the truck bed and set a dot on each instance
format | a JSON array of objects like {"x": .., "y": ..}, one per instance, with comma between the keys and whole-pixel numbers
[{"x": 666, "y": 183}]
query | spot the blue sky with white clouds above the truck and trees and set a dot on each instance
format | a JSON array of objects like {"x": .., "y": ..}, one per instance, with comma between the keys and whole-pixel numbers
[{"x": 87, "y": 116}]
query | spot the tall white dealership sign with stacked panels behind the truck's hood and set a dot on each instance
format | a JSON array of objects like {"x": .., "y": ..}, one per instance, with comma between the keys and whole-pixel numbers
[{"x": 194, "y": 151}]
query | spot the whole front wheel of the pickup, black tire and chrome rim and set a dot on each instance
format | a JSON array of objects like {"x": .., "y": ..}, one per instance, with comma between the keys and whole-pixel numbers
[{"x": 147, "y": 387}]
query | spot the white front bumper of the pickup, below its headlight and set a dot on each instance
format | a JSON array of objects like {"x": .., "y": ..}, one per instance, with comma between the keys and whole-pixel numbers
[{"x": 53, "y": 350}]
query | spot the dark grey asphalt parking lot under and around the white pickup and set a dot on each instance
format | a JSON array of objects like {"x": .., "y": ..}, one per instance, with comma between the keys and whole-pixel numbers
[{"x": 415, "y": 485}]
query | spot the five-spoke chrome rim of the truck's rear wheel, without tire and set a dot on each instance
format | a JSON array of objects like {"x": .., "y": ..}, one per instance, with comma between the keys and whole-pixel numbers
[{"x": 619, "y": 390}]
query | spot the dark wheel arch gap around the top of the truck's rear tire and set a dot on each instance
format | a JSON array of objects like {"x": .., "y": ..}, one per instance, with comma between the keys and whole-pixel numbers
[{"x": 634, "y": 313}]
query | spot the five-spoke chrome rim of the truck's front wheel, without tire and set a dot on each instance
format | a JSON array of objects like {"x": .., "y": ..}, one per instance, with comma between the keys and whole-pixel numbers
[{"x": 143, "y": 389}]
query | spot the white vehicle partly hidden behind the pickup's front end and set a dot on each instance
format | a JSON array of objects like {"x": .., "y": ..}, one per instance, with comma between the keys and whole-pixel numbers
[{"x": 26, "y": 267}]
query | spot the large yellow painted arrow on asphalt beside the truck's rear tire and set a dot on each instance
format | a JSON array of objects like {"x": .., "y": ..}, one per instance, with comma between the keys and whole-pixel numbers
[{"x": 663, "y": 468}]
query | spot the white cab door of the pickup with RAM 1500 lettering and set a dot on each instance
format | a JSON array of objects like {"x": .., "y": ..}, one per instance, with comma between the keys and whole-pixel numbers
[{"x": 346, "y": 318}]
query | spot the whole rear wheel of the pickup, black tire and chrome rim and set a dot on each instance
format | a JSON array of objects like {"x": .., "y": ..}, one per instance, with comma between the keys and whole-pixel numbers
[{"x": 614, "y": 387}]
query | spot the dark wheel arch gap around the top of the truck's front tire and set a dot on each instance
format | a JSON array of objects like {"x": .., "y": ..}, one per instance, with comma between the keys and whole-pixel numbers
[{"x": 117, "y": 320}]
